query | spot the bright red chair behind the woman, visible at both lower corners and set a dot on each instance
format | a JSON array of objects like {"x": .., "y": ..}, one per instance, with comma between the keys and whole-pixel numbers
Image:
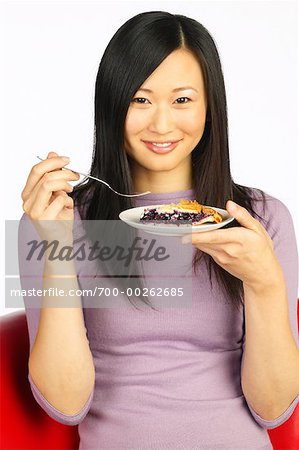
[{"x": 24, "y": 424}]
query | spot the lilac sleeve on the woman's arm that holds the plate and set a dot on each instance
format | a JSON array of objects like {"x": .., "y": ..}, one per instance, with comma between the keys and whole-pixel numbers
[{"x": 279, "y": 225}]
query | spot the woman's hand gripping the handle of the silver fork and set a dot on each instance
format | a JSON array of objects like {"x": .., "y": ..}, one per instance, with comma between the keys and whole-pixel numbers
[{"x": 45, "y": 197}]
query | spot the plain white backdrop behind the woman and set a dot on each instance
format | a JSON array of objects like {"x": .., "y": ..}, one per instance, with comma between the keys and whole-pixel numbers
[{"x": 50, "y": 53}]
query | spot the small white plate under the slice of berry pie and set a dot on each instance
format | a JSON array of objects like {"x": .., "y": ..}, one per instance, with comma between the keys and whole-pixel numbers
[{"x": 132, "y": 216}]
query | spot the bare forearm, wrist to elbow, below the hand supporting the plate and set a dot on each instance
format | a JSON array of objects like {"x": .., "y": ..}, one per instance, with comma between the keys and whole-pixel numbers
[{"x": 270, "y": 369}]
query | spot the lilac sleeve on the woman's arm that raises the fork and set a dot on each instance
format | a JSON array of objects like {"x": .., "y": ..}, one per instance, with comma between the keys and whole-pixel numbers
[{"x": 30, "y": 272}]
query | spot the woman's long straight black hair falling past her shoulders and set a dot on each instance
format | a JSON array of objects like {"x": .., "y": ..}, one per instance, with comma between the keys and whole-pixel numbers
[{"x": 137, "y": 48}]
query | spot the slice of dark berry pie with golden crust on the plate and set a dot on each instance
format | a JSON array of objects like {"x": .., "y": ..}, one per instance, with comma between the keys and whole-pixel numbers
[{"x": 184, "y": 212}]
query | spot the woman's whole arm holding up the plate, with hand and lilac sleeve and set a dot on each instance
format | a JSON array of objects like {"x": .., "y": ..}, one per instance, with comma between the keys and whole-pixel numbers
[{"x": 266, "y": 261}]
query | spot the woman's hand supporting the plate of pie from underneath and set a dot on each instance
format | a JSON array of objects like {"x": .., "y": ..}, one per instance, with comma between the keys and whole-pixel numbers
[{"x": 246, "y": 252}]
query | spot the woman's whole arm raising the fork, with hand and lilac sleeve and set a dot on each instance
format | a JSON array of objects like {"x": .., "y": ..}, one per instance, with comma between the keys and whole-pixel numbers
[{"x": 61, "y": 371}]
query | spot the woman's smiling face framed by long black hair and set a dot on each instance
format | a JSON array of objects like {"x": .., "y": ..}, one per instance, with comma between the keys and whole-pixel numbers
[{"x": 169, "y": 106}]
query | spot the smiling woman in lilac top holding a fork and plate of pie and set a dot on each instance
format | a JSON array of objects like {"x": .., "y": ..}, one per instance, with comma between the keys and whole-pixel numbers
[{"x": 177, "y": 377}]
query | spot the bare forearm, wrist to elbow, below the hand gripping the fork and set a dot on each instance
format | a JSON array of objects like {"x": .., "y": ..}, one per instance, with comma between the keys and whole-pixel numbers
[{"x": 60, "y": 363}]
